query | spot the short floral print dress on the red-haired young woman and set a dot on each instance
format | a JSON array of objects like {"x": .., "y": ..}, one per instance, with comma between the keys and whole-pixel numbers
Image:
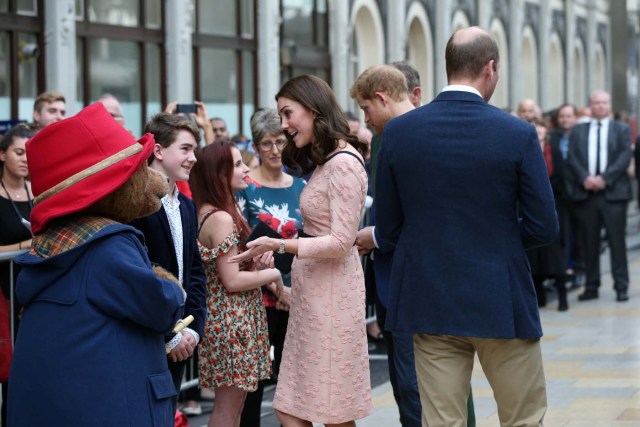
[{"x": 235, "y": 348}]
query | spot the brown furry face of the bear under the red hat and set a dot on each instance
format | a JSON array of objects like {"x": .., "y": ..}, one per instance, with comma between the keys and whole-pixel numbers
[{"x": 138, "y": 197}]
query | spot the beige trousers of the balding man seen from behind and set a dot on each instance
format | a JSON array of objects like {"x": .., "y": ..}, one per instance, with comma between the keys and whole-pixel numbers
[{"x": 513, "y": 368}]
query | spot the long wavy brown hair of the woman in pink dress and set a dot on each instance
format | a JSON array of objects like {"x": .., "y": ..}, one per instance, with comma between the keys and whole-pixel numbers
[{"x": 329, "y": 126}]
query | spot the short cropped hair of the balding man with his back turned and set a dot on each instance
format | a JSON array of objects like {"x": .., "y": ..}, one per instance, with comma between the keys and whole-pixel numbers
[{"x": 467, "y": 59}]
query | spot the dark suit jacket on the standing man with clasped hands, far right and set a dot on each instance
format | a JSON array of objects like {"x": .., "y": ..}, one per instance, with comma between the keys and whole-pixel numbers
[{"x": 619, "y": 155}]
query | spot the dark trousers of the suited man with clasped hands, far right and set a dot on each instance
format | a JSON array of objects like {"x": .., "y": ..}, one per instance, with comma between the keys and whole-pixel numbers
[{"x": 592, "y": 214}]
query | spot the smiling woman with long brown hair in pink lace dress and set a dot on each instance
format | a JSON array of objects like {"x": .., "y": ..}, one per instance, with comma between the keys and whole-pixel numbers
[{"x": 324, "y": 375}]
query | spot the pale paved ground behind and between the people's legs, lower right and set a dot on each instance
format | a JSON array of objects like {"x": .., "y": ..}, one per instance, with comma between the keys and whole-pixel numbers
[{"x": 592, "y": 364}]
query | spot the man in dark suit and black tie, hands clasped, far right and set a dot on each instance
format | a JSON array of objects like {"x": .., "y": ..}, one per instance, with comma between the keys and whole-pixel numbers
[{"x": 600, "y": 189}]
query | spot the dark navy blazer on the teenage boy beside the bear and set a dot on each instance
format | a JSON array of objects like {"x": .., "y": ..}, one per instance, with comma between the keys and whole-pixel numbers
[{"x": 159, "y": 242}]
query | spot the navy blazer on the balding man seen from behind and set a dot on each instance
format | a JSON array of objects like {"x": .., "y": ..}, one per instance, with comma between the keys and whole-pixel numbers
[{"x": 462, "y": 190}]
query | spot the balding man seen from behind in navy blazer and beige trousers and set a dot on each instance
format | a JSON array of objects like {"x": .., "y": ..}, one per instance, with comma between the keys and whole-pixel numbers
[{"x": 462, "y": 190}]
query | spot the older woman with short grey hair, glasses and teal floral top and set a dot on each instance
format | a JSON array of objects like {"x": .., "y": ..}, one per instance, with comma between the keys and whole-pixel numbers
[{"x": 272, "y": 198}]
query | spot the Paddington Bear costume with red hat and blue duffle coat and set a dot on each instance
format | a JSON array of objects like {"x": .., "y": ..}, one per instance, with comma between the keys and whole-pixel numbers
[{"x": 90, "y": 349}]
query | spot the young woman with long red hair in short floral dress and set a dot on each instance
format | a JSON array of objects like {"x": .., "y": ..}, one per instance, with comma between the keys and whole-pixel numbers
[{"x": 234, "y": 352}]
